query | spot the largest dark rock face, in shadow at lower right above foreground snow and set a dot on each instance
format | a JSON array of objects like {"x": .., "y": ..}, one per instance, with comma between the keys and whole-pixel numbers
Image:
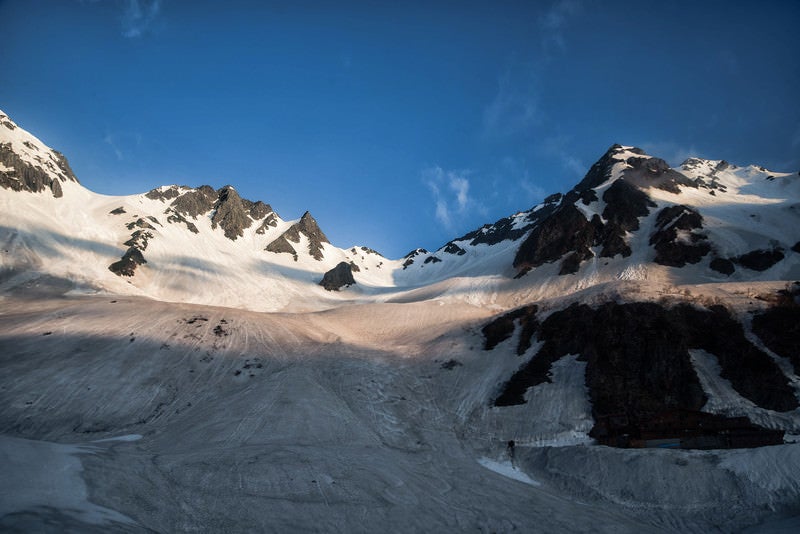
[{"x": 638, "y": 365}]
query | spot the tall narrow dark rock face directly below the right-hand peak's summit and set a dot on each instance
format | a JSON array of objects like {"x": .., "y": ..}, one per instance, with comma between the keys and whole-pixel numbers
[{"x": 624, "y": 205}]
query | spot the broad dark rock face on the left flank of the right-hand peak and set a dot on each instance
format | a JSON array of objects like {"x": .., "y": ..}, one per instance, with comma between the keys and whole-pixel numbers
[{"x": 566, "y": 230}]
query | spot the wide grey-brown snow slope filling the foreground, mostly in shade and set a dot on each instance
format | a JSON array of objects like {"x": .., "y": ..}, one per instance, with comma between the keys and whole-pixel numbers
[{"x": 344, "y": 420}]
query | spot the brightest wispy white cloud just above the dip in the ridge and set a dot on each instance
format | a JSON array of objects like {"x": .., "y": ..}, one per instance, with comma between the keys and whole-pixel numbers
[{"x": 450, "y": 191}]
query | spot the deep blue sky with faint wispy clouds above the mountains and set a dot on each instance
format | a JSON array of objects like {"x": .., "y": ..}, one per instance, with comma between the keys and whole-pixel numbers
[{"x": 397, "y": 124}]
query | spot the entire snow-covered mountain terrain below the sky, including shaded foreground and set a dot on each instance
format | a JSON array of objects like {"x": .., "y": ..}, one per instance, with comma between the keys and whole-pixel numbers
[{"x": 474, "y": 386}]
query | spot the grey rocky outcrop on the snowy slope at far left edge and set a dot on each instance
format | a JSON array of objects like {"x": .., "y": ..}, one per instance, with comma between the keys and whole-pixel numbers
[{"x": 26, "y": 177}]
